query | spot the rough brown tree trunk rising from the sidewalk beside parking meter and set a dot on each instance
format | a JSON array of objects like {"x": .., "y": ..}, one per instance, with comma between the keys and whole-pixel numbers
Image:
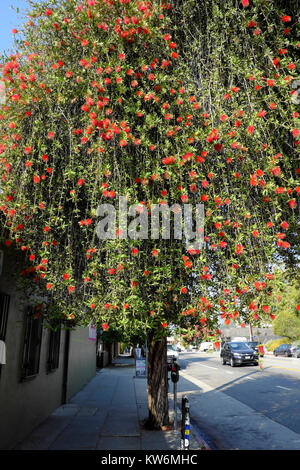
[{"x": 157, "y": 385}]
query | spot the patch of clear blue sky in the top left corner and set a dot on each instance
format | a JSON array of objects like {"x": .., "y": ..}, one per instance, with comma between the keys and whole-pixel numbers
[{"x": 10, "y": 19}]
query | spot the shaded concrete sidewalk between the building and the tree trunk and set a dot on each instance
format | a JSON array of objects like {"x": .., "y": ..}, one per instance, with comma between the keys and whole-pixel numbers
[{"x": 107, "y": 414}]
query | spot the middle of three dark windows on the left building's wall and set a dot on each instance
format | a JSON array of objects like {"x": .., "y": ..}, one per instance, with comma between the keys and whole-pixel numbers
[{"x": 32, "y": 344}]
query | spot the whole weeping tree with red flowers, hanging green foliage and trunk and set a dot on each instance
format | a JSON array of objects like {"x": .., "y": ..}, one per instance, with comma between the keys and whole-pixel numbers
[{"x": 151, "y": 104}]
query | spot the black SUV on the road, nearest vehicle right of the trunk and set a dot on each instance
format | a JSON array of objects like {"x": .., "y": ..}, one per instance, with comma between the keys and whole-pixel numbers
[{"x": 237, "y": 353}]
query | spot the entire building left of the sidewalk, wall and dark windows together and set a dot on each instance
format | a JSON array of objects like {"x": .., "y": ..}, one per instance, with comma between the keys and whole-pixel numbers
[{"x": 40, "y": 369}]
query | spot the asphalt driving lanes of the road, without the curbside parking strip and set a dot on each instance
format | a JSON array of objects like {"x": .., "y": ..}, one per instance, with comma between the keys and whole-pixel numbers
[{"x": 273, "y": 392}]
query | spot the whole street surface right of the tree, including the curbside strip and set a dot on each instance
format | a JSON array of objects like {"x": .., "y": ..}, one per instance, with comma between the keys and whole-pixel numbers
[{"x": 248, "y": 396}]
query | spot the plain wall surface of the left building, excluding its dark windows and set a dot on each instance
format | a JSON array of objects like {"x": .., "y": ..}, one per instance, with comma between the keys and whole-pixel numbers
[{"x": 25, "y": 404}]
